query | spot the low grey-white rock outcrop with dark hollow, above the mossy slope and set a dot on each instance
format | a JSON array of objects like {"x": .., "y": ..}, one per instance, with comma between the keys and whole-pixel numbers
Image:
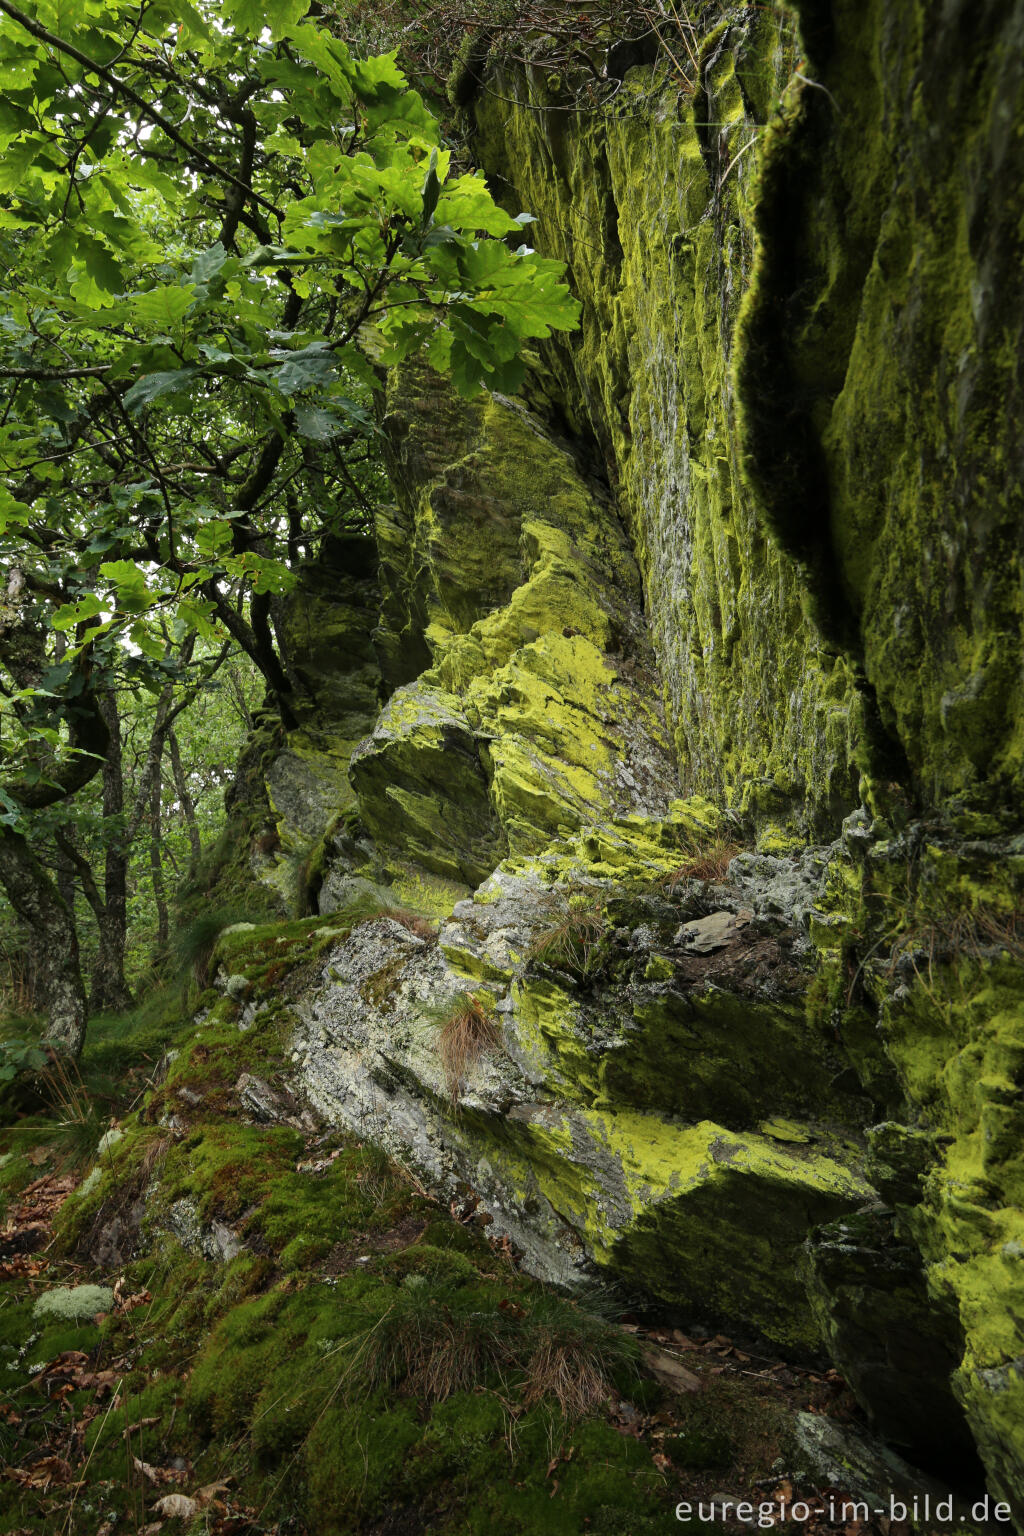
[{"x": 589, "y": 1128}]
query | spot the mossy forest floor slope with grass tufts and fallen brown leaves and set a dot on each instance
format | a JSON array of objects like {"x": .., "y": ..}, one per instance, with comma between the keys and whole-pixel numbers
[{"x": 289, "y": 1336}]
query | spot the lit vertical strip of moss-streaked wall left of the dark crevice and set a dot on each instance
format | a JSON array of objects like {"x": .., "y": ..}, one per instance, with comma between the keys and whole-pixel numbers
[{"x": 655, "y": 217}]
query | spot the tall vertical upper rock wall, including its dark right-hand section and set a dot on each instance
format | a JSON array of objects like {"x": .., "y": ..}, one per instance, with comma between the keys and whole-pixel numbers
[{"x": 802, "y": 310}]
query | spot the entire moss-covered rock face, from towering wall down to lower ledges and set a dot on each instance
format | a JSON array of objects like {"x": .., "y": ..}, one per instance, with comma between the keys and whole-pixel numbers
[{"x": 702, "y": 732}]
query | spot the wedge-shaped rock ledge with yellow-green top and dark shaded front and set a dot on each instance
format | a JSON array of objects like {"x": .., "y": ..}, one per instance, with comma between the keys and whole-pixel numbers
[{"x": 642, "y": 1191}]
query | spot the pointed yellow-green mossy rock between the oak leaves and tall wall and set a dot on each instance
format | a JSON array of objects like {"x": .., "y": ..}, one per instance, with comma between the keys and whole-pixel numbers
[{"x": 540, "y": 709}]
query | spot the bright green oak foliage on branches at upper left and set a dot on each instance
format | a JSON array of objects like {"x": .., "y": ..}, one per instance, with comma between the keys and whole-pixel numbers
[{"x": 217, "y": 227}]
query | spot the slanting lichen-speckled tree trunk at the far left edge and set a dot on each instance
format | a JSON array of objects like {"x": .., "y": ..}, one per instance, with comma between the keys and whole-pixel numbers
[{"x": 39, "y": 904}]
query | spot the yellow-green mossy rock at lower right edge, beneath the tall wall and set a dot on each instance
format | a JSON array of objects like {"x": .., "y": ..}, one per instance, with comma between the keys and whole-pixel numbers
[{"x": 930, "y": 930}]
